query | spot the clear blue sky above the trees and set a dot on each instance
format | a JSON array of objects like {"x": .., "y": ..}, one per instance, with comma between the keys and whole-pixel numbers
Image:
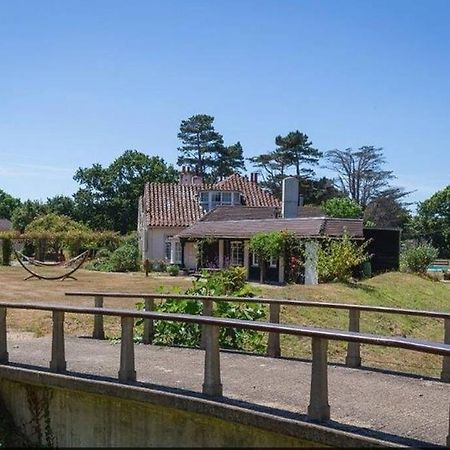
[{"x": 82, "y": 81}]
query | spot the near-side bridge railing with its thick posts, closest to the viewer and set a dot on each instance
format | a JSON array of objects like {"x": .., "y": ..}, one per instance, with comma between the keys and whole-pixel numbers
[{"x": 318, "y": 408}]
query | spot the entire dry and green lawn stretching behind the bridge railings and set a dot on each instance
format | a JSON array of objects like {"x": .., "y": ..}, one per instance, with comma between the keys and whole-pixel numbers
[{"x": 390, "y": 289}]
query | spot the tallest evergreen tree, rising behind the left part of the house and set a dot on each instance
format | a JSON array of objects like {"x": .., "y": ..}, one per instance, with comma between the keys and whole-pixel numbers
[{"x": 201, "y": 144}]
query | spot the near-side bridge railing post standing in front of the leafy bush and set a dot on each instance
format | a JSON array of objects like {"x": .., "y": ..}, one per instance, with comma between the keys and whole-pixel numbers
[{"x": 212, "y": 385}]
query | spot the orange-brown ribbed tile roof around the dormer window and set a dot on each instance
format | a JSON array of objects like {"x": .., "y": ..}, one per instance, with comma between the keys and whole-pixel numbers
[{"x": 177, "y": 205}]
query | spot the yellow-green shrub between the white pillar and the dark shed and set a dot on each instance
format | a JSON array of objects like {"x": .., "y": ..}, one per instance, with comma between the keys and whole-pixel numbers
[{"x": 338, "y": 257}]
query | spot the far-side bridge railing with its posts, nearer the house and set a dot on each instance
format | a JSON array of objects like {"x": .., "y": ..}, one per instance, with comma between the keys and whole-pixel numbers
[{"x": 353, "y": 358}]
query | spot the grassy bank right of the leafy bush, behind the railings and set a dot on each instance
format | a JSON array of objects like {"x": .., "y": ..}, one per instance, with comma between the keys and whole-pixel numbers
[{"x": 391, "y": 289}]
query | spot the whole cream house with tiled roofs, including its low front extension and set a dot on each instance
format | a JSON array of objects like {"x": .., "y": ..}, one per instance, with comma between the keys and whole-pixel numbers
[{"x": 177, "y": 220}]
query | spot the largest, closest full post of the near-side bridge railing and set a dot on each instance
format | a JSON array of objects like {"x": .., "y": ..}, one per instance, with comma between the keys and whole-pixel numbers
[{"x": 318, "y": 408}]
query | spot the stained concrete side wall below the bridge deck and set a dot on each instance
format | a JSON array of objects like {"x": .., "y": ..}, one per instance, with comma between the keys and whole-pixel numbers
[{"x": 58, "y": 410}]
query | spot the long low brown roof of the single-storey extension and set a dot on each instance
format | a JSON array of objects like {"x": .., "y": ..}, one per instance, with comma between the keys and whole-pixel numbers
[{"x": 302, "y": 227}]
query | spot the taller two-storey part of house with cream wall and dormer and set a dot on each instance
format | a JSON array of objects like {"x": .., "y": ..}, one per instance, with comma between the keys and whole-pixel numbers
[{"x": 167, "y": 209}]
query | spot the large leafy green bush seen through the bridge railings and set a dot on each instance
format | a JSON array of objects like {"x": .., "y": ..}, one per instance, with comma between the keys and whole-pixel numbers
[{"x": 229, "y": 282}]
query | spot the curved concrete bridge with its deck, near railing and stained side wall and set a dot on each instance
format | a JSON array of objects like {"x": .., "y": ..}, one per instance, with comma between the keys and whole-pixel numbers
[{"x": 188, "y": 397}]
